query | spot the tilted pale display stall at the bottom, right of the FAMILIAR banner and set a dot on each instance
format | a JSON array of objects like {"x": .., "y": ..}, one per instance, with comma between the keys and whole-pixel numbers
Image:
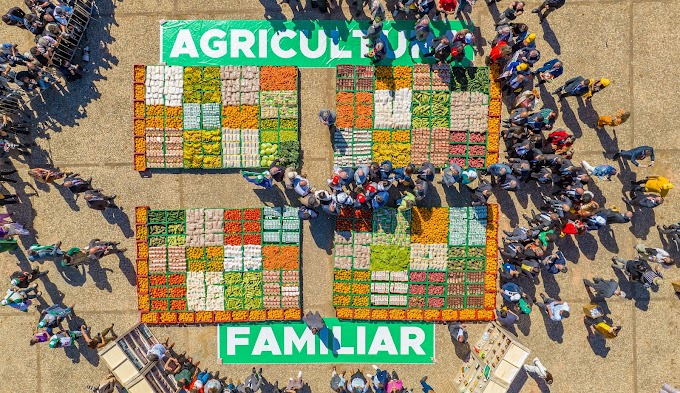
[{"x": 495, "y": 360}]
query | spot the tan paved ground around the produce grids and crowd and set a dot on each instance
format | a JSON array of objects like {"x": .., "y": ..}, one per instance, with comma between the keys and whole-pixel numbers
[{"x": 88, "y": 130}]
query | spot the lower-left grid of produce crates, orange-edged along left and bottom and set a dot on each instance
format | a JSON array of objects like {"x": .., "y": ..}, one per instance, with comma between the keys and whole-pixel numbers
[{"x": 218, "y": 265}]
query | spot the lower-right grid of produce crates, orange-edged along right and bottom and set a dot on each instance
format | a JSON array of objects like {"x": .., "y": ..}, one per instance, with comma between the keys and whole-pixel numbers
[{"x": 431, "y": 264}]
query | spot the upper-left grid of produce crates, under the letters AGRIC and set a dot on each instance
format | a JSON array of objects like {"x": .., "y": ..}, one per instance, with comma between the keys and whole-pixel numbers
[{"x": 215, "y": 117}]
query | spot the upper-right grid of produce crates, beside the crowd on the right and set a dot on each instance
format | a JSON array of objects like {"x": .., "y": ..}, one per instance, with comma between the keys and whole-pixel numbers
[{"x": 414, "y": 114}]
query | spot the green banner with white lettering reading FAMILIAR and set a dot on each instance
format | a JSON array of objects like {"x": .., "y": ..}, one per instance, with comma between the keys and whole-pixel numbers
[{"x": 342, "y": 342}]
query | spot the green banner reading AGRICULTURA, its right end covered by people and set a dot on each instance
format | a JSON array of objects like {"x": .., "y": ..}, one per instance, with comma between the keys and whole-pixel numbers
[{"x": 311, "y": 44}]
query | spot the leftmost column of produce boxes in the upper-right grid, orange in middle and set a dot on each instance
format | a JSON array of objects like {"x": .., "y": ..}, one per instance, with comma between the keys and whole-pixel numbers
[{"x": 354, "y": 94}]
